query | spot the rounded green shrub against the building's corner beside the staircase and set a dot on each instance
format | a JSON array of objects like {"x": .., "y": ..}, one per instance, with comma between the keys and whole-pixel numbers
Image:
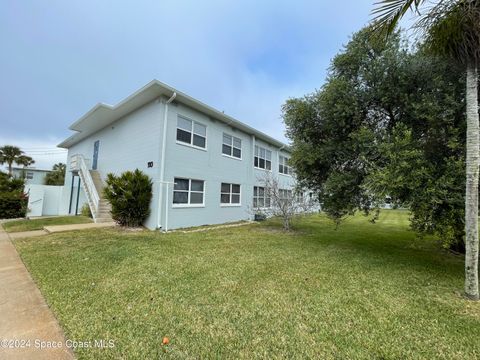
[{"x": 130, "y": 195}]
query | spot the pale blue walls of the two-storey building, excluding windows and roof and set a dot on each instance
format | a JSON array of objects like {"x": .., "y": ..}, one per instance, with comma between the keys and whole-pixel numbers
[{"x": 134, "y": 140}]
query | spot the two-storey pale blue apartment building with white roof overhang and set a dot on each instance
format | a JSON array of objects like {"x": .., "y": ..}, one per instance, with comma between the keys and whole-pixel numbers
[{"x": 206, "y": 166}]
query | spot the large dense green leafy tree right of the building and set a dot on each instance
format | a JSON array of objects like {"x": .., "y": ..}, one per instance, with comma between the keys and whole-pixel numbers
[{"x": 387, "y": 122}]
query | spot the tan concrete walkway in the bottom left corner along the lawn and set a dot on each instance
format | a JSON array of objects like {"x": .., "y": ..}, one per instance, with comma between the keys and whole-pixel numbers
[{"x": 25, "y": 316}]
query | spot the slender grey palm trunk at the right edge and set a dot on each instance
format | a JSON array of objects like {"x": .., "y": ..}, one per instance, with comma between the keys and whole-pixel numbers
[{"x": 471, "y": 198}]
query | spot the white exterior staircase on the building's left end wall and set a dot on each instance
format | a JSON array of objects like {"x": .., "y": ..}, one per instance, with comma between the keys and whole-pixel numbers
[{"x": 92, "y": 185}]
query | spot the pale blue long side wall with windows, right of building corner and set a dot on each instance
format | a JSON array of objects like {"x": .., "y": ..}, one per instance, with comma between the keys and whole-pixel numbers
[{"x": 214, "y": 168}]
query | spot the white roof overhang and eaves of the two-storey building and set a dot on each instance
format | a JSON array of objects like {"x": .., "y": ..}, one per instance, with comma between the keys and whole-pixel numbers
[{"x": 102, "y": 115}]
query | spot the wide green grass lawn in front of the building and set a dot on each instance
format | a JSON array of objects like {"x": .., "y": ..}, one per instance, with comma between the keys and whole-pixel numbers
[{"x": 364, "y": 291}]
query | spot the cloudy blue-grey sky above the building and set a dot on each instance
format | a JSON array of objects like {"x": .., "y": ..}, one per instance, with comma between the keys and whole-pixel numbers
[{"x": 59, "y": 58}]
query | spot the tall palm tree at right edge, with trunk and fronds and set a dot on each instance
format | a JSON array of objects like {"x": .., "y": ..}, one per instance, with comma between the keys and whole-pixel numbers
[{"x": 451, "y": 28}]
